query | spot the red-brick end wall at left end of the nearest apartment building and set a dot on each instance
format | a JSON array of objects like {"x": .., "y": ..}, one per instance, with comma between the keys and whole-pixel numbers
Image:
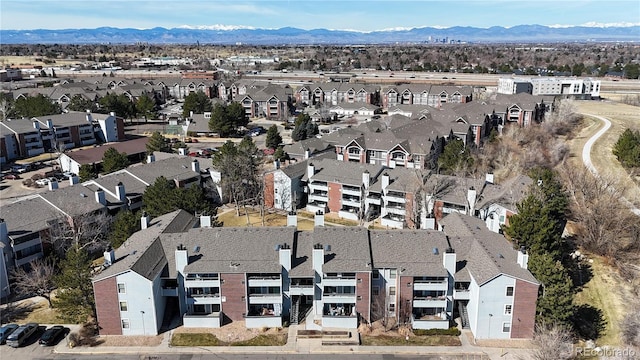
[{"x": 107, "y": 306}]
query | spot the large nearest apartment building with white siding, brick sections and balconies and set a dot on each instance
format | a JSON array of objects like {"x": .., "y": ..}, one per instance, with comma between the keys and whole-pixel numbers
[{"x": 331, "y": 277}]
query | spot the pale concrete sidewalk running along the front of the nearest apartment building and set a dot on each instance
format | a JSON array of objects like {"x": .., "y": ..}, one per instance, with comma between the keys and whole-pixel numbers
[{"x": 306, "y": 346}]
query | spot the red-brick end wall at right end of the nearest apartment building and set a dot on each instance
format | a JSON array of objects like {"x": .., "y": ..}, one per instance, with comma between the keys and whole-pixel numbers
[{"x": 524, "y": 310}]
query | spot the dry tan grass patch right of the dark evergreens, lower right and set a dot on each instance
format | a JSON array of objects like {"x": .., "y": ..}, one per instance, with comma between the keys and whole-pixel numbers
[{"x": 603, "y": 292}]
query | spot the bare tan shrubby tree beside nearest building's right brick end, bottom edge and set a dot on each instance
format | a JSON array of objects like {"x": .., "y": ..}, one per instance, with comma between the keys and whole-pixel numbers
[{"x": 552, "y": 342}]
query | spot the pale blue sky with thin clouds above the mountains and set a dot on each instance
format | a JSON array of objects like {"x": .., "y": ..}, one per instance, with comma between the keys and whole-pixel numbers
[{"x": 358, "y": 15}]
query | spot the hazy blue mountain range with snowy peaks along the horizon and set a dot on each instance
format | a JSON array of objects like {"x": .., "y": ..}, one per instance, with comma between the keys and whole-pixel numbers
[{"x": 289, "y": 35}]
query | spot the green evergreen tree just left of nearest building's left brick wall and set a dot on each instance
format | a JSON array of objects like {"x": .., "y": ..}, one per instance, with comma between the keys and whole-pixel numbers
[{"x": 74, "y": 301}]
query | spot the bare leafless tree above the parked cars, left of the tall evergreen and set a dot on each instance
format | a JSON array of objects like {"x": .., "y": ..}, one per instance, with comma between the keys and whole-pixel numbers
[{"x": 36, "y": 281}]
